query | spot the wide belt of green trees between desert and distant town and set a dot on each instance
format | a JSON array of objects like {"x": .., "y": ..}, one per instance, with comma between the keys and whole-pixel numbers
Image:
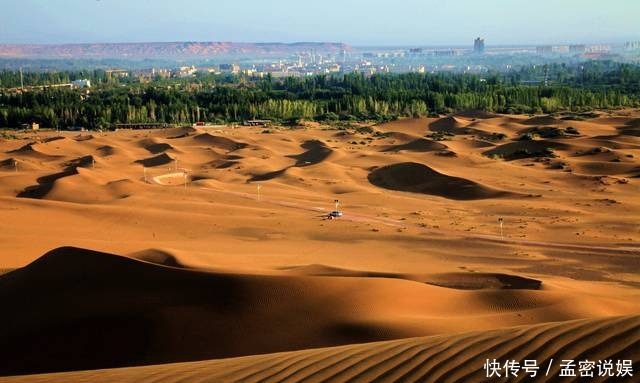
[{"x": 330, "y": 99}]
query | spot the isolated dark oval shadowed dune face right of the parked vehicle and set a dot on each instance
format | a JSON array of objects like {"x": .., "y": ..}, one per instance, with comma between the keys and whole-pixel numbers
[{"x": 418, "y": 178}]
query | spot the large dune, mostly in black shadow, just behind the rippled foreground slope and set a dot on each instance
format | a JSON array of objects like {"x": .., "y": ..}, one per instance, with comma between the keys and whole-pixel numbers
[{"x": 153, "y": 310}]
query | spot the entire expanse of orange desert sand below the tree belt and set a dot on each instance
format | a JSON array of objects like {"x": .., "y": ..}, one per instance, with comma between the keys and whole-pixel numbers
[{"x": 158, "y": 247}]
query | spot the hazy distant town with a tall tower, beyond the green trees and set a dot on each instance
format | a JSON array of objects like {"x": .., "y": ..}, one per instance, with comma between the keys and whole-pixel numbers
[{"x": 474, "y": 59}]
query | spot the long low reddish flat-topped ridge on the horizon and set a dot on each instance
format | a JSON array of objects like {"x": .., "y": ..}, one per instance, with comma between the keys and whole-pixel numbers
[{"x": 162, "y": 50}]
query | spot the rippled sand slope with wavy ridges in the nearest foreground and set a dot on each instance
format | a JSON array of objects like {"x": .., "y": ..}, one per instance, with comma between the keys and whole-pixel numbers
[{"x": 436, "y": 359}]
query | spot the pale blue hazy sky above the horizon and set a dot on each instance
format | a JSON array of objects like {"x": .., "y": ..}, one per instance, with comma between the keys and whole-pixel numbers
[{"x": 357, "y": 22}]
